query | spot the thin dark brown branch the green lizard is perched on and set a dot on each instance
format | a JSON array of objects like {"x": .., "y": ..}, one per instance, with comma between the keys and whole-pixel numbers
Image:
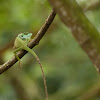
[{"x": 33, "y": 43}]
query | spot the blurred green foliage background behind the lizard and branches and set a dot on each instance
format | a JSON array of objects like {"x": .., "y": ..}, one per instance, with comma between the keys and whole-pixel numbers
[{"x": 69, "y": 73}]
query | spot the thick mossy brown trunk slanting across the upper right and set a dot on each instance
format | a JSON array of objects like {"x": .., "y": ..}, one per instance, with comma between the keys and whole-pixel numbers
[{"x": 85, "y": 33}]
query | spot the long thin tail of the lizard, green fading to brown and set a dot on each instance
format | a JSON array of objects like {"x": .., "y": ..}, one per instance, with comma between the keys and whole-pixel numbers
[{"x": 34, "y": 54}]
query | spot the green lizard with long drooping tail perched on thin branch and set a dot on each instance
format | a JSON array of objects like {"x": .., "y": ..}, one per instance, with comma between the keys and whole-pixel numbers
[{"x": 20, "y": 43}]
